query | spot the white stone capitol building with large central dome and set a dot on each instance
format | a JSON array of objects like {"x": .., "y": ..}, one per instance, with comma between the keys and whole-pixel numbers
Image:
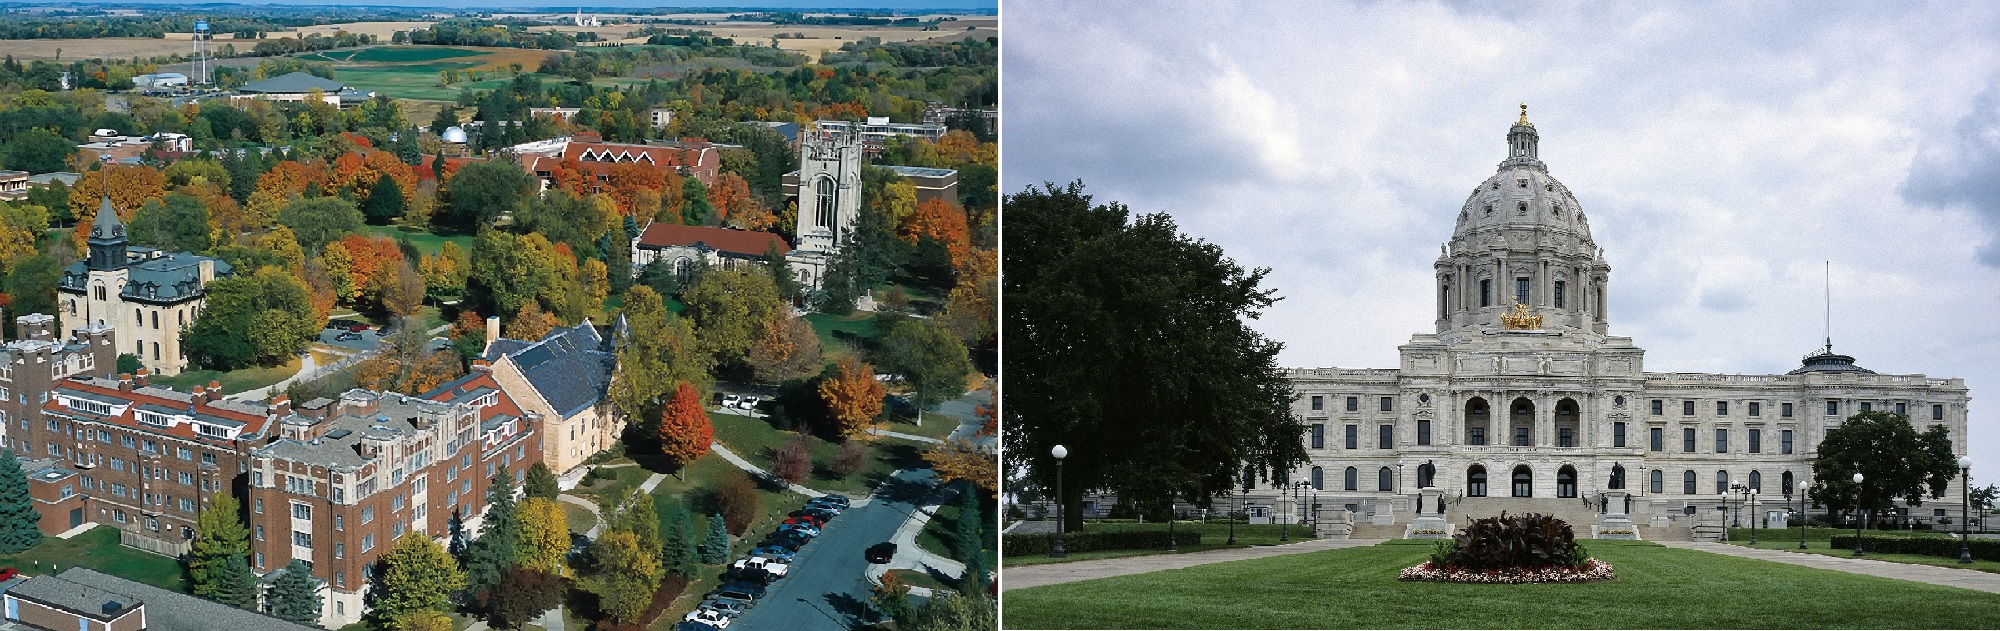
[{"x": 1523, "y": 400}]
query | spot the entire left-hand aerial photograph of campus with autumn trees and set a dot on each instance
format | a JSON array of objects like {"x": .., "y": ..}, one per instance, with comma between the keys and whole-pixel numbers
[{"x": 445, "y": 318}]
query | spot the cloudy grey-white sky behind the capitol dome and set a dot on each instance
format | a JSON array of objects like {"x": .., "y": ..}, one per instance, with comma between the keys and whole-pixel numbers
[{"x": 1725, "y": 155}]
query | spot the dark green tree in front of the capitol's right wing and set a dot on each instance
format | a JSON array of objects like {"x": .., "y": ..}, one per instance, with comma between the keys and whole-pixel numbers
[{"x": 1895, "y": 460}]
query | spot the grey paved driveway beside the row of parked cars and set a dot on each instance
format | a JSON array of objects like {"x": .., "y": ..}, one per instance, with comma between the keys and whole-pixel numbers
[{"x": 829, "y": 586}]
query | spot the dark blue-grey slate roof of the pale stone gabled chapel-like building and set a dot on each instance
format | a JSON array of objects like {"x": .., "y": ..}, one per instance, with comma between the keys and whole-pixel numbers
[{"x": 571, "y": 368}]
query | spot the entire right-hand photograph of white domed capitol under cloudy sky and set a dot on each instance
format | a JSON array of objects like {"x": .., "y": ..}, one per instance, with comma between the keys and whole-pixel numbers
[{"x": 1501, "y": 316}]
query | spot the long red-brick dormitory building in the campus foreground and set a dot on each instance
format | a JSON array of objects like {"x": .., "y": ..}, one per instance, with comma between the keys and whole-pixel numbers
[{"x": 331, "y": 482}]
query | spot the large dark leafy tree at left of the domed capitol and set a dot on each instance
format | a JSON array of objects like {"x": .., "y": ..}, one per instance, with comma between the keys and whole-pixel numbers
[{"x": 1129, "y": 344}]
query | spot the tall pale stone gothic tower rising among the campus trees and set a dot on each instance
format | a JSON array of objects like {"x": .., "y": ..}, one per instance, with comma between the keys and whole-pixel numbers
[{"x": 829, "y": 189}]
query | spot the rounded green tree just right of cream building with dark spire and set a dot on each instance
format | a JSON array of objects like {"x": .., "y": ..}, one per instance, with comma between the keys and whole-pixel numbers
[{"x": 261, "y": 318}]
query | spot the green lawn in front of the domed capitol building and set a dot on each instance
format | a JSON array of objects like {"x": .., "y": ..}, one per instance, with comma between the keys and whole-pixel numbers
[{"x": 1357, "y": 588}]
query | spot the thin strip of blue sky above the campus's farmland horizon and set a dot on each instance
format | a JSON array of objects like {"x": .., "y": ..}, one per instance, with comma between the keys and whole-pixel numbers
[{"x": 979, "y": 7}]
